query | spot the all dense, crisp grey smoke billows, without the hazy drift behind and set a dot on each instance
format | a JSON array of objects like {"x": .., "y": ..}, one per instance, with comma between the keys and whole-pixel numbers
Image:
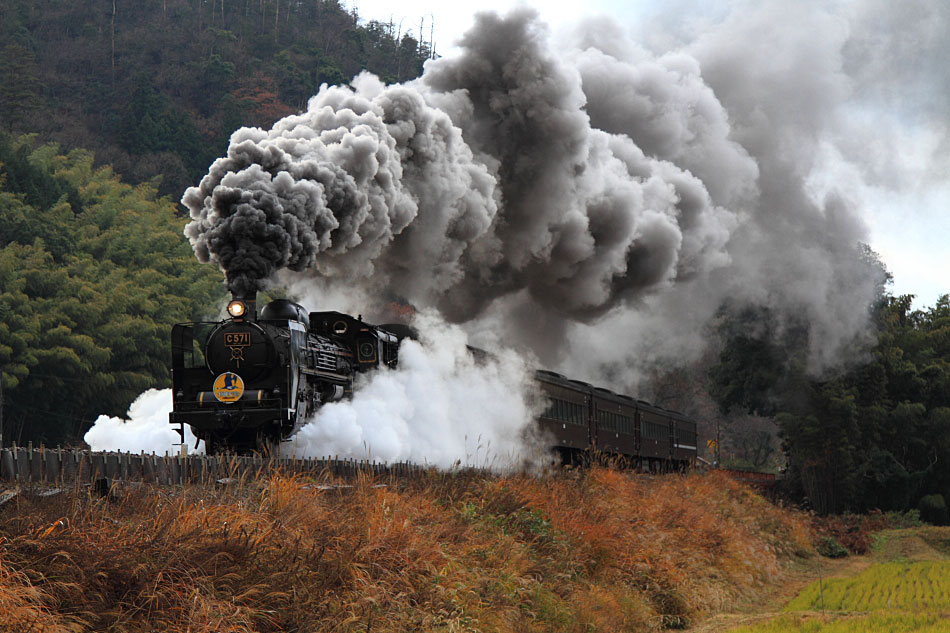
[{"x": 483, "y": 179}]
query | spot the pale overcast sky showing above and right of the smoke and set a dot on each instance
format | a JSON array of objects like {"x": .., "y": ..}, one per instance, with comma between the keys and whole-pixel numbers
[{"x": 908, "y": 222}]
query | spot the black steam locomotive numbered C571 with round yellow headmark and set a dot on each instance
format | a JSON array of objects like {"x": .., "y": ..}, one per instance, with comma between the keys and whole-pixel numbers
[{"x": 248, "y": 382}]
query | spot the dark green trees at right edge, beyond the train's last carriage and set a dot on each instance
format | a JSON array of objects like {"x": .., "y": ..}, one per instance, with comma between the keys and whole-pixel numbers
[{"x": 875, "y": 434}]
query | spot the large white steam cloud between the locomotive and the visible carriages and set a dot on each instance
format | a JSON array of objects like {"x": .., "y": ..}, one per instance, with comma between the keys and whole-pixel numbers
[{"x": 441, "y": 407}]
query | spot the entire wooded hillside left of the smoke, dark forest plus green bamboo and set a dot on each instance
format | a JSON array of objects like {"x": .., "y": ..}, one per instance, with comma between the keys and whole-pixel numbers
[{"x": 108, "y": 111}]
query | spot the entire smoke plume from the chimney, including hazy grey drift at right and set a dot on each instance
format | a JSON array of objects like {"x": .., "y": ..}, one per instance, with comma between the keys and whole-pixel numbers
[{"x": 598, "y": 204}]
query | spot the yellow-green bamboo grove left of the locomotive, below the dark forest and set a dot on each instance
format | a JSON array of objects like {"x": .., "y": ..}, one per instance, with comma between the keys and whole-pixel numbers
[{"x": 93, "y": 272}]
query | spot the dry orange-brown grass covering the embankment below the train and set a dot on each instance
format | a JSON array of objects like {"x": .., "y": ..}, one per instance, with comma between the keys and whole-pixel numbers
[{"x": 594, "y": 551}]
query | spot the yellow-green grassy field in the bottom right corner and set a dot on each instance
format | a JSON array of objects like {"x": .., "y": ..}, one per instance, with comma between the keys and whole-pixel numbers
[{"x": 902, "y": 586}]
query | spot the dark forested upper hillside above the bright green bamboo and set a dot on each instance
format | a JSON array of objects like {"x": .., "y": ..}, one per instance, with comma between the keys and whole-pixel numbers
[{"x": 155, "y": 88}]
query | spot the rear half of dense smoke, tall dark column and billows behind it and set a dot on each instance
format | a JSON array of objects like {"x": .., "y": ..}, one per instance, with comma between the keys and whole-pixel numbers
[{"x": 588, "y": 220}]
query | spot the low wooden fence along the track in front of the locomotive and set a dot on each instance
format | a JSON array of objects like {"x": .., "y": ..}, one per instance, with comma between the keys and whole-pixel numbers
[{"x": 61, "y": 466}]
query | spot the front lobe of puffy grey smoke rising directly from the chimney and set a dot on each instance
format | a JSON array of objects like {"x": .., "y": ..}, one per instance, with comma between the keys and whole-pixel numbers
[{"x": 331, "y": 190}]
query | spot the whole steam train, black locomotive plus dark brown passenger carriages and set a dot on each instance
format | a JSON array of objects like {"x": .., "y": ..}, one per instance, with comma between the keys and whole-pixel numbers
[{"x": 248, "y": 382}]
